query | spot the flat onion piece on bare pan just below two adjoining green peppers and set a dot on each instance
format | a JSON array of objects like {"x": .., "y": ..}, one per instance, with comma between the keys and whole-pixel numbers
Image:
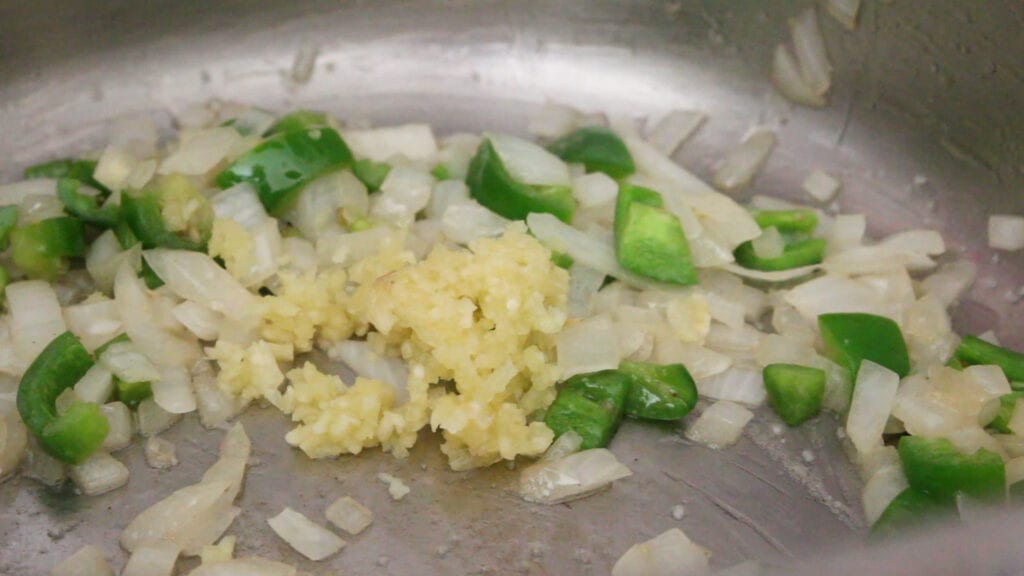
[{"x": 576, "y": 476}]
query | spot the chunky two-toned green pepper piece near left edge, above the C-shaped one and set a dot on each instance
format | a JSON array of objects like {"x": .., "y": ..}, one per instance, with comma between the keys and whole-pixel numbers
[{"x": 42, "y": 250}]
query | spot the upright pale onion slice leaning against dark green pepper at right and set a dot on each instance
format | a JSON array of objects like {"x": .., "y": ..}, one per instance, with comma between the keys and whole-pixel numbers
[{"x": 874, "y": 396}]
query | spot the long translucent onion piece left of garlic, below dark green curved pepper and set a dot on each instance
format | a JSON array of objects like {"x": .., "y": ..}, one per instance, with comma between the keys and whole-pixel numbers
[{"x": 196, "y": 277}]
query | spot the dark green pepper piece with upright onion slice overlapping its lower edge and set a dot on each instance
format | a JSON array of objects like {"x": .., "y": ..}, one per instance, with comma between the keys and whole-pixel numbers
[{"x": 851, "y": 338}]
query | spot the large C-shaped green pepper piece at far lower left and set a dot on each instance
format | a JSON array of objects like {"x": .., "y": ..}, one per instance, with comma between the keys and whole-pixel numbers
[{"x": 71, "y": 437}]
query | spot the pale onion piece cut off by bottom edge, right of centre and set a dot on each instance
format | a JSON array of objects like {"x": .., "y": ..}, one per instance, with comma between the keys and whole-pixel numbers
[{"x": 668, "y": 554}]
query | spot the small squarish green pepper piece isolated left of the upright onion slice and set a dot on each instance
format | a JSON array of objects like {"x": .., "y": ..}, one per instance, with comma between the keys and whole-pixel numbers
[{"x": 795, "y": 392}]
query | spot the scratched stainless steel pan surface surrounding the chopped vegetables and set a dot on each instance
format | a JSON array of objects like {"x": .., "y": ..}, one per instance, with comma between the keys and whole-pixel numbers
[{"x": 922, "y": 90}]
